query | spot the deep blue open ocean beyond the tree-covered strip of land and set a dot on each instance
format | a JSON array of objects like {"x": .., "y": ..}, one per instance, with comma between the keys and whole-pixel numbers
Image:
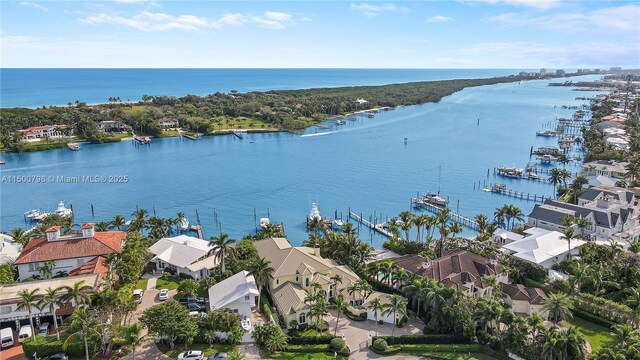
[{"x": 38, "y": 87}]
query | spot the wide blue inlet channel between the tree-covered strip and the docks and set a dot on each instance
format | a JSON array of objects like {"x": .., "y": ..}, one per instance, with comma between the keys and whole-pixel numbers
[{"x": 364, "y": 165}]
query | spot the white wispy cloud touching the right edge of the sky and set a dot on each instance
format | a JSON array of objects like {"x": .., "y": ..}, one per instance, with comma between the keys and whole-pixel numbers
[{"x": 615, "y": 19}]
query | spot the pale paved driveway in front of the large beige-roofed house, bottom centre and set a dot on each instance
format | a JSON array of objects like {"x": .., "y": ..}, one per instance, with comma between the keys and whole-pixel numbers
[{"x": 357, "y": 333}]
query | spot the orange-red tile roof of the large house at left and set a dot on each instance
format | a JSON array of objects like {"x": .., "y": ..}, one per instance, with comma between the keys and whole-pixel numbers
[{"x": 102, "y": 243}]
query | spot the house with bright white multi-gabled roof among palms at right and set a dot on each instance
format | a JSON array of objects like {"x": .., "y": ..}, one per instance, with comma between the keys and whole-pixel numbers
[{"x": 543, "y": 247}]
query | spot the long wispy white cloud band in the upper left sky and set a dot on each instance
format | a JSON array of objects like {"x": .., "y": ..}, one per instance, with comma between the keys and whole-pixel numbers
[{"x": 155, "y": 21}]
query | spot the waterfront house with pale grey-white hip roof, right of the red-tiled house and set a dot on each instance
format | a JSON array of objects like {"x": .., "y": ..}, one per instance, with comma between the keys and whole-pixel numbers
[{"x": 184, "y": 255}]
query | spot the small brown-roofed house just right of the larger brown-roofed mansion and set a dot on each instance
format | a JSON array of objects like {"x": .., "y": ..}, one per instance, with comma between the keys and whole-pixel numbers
[{"x": 523, "y": 300}]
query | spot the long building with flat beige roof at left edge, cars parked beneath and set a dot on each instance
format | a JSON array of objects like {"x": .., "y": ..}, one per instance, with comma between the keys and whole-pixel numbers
[{"x": 9, "y": 300}]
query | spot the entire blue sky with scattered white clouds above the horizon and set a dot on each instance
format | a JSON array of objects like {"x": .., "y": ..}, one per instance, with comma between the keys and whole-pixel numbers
[{"x": 430, "y": 34}]
